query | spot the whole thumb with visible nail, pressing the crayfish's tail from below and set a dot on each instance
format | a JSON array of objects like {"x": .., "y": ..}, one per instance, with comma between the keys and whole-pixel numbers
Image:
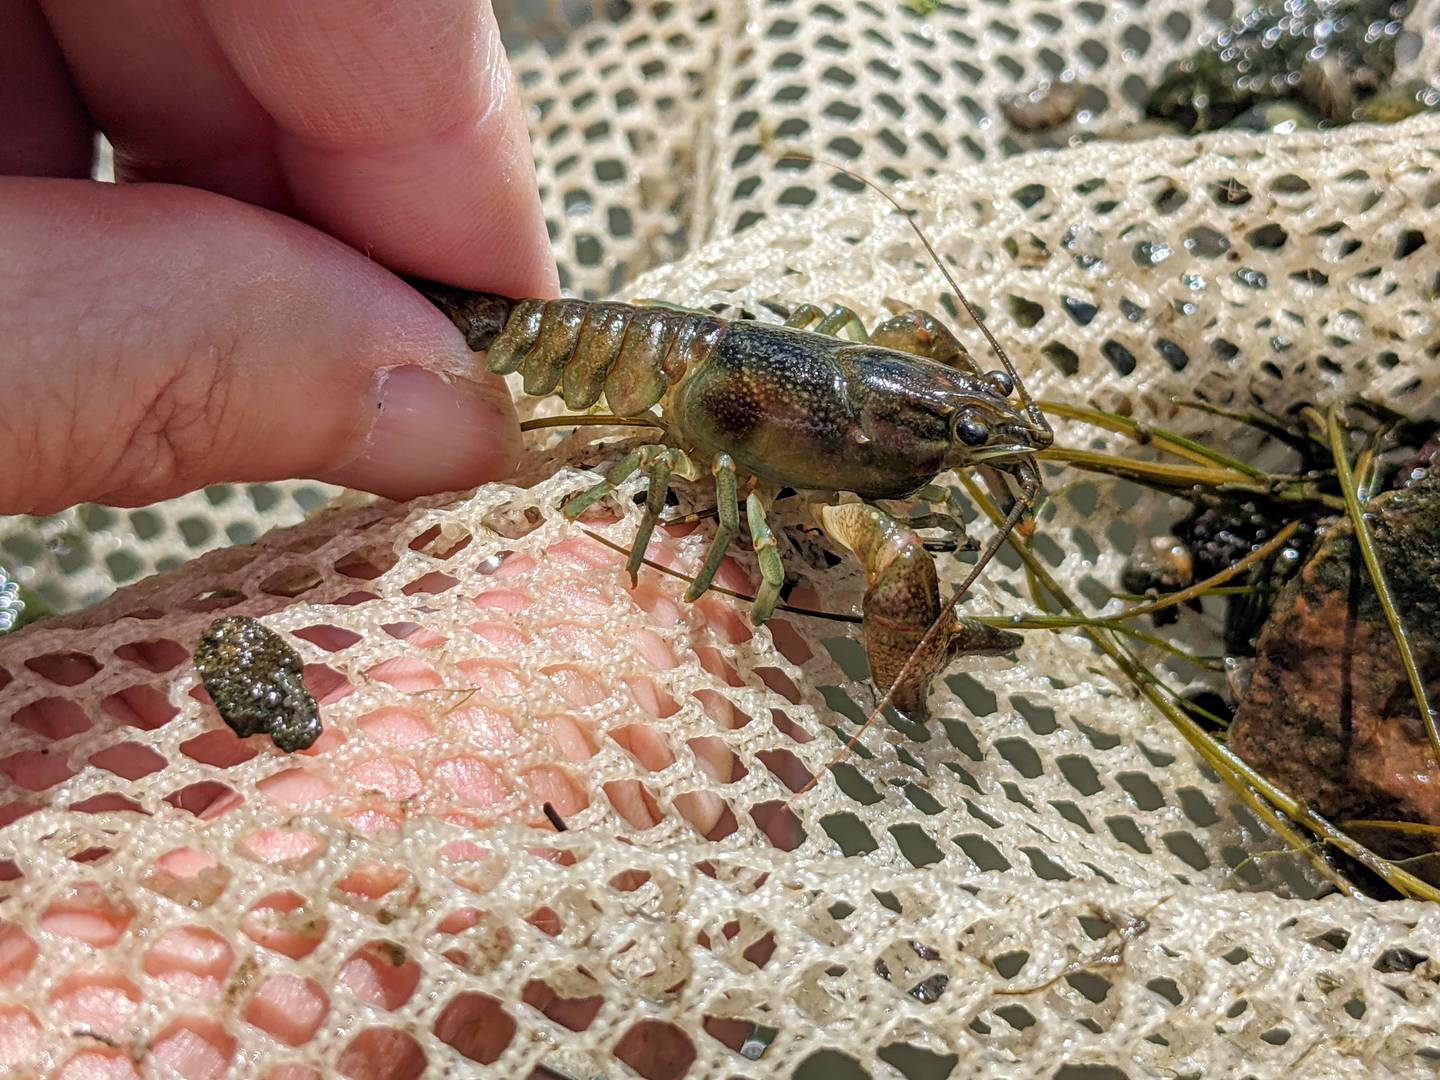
[{"x": 161, "y": 339}]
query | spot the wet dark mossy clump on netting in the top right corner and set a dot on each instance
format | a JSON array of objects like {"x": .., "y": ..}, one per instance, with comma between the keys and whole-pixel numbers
[{"x": 1336, "y": 58}]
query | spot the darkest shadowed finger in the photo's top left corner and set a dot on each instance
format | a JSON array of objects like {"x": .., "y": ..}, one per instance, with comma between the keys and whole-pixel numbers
[{"x": 44, "y": 130}]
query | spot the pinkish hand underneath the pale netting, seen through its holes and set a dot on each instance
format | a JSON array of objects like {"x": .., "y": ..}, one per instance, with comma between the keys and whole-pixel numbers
[{"x": 179, "y": 901}]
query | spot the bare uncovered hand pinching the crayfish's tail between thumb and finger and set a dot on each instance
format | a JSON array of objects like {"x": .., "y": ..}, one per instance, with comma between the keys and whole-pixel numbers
[{"x": 197, "y": 323}]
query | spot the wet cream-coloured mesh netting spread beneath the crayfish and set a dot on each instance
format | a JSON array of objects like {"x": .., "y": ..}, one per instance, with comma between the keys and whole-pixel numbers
[{"x": 1045, "y": 878}]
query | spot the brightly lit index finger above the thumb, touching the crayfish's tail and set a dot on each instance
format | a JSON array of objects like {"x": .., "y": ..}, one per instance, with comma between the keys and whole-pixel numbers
[{"x": 400, "y": 130}]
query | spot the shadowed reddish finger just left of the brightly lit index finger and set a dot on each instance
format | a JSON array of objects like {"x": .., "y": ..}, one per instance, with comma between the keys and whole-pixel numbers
[{"x": 158, "y": 84}]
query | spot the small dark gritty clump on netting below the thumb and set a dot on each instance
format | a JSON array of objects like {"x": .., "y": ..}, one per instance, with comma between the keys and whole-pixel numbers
[{"x": 254, "y": 678}]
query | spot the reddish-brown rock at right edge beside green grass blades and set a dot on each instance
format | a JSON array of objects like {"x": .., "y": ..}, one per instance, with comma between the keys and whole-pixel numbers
[{"x": 1330, "y": 715}]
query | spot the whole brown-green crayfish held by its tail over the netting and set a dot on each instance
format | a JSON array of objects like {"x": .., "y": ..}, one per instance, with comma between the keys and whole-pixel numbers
[{"x": 816, "y": 405}]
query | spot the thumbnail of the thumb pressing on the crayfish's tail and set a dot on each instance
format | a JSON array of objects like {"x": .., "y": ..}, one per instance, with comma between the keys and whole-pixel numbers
[{"x": 434, "y": 434}]
